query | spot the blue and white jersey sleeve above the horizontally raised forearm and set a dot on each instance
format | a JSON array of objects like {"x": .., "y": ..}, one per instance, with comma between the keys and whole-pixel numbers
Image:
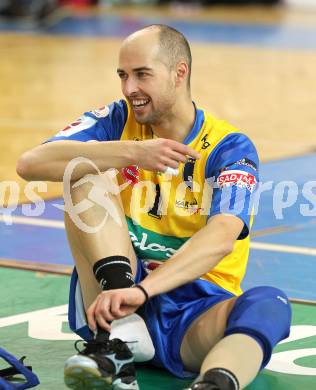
[{"x": 103, "y": 124}]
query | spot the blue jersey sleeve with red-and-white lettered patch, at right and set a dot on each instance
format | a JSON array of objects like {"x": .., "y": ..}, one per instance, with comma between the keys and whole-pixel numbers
[{"x": 233, "y": 170}]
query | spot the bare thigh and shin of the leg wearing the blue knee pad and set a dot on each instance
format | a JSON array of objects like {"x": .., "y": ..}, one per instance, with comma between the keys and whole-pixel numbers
[{"x": 204, "y": 346}]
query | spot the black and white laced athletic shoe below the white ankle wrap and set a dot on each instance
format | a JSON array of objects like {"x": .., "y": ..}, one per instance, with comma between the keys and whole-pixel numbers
[{"x": 103, "y": 364}]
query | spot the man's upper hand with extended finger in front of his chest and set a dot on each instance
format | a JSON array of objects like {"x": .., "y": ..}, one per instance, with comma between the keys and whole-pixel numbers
[{"x": 161, "y": 153}]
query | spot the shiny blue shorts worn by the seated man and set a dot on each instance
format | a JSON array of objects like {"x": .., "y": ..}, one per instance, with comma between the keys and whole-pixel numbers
[{"x": 167, "y": 316}]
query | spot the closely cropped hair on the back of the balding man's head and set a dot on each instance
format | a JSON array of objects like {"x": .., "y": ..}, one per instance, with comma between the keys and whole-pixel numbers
[{"x": 174, "y": 45}]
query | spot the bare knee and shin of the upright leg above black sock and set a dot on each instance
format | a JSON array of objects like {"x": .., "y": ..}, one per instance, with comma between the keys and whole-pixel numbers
[{"x": 87, "y": 248}]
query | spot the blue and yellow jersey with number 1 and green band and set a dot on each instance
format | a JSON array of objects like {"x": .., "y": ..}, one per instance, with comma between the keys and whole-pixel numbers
[{"x": 163, "y": 211}]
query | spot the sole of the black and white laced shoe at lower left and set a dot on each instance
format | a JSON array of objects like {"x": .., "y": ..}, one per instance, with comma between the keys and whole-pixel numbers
[{"x": 86, "y": 378}]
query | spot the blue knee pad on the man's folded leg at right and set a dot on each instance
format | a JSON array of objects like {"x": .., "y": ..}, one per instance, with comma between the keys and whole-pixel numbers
[{"x": 263, "y": 313}]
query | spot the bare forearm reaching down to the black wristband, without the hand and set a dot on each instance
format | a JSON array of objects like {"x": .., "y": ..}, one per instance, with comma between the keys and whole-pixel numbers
[{"x": 197, "y": 256}]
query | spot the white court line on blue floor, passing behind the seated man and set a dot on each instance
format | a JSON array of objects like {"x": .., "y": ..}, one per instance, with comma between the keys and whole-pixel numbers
[{"x": 301, "y": 250}]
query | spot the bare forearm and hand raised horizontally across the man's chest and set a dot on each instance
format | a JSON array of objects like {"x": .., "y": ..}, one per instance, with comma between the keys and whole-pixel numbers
[{"x": 49, "y": 161}]
